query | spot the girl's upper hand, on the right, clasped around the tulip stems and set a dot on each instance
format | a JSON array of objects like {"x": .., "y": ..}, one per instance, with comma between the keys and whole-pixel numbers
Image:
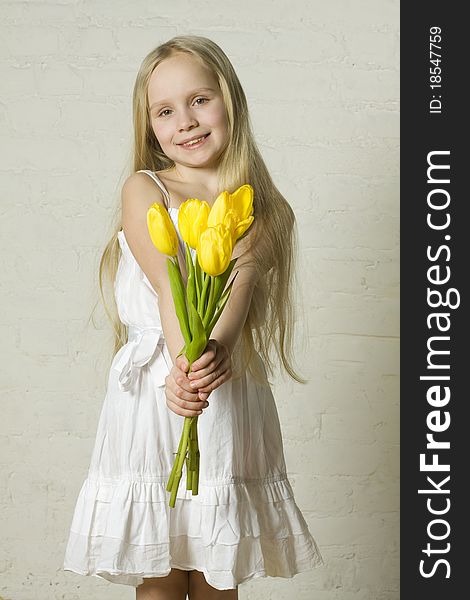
[{"x": 211, "y": 369}]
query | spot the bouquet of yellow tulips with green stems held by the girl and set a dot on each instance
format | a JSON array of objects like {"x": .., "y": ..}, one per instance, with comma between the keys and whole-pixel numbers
[{"x": 212, "y": 232}]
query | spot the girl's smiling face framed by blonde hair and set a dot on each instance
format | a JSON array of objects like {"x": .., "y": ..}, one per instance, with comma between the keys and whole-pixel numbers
[{"x": 185, "y": 102}]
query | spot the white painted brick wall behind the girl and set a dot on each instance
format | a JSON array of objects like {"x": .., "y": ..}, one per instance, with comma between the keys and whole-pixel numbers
[{"x": 323, "y": 87}]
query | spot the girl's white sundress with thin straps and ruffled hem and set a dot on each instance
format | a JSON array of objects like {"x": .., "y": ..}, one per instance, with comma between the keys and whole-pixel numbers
[{"x": 244, "y": 522}]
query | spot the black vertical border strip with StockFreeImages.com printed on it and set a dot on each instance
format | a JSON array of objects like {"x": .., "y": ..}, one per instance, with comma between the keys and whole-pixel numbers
[{"x": 421, "y": 133}]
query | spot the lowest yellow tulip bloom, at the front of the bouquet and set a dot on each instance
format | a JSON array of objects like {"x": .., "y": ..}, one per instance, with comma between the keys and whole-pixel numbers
[{"x": 214, "y": 249}]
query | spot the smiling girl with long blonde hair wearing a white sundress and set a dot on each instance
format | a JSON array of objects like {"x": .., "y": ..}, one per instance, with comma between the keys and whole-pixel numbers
[{"x": 193, "y": 139}]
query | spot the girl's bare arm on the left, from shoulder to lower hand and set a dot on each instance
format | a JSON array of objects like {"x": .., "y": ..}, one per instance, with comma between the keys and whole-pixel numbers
[{"x": 138, "y": 194}]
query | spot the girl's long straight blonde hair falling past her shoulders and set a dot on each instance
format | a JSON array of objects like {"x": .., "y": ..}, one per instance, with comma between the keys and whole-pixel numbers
[{"x": 273, "y": 238}]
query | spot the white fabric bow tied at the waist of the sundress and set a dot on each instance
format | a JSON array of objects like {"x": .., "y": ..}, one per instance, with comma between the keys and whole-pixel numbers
[{"x": 139, "y": 350}]
